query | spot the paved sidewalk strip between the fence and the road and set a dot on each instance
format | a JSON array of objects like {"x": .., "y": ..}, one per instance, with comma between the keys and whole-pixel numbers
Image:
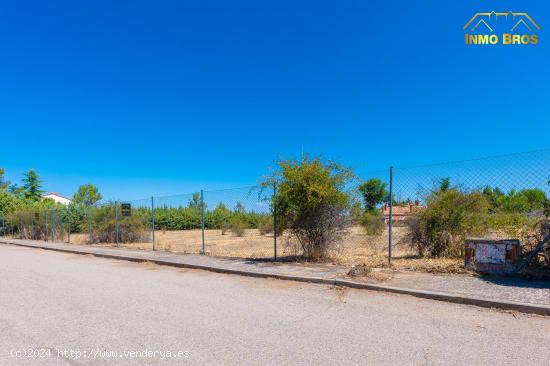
[{"x": 506, "y": 293}]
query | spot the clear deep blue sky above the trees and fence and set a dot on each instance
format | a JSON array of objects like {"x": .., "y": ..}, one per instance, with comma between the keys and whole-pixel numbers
[{"x": 169, "y": 97}]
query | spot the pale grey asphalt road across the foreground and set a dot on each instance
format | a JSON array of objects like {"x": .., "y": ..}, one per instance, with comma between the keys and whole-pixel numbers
[{"x": 64, "y": 309}]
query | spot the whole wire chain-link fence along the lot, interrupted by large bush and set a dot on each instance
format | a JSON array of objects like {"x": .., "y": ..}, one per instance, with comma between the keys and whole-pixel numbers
[{"x": 422, "y": 210}]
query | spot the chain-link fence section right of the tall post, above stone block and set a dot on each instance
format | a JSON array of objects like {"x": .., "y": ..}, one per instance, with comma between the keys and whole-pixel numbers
[{"x": 437, "y": 206}]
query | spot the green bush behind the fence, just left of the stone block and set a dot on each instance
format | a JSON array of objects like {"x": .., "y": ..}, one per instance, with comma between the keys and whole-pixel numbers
[{"x": 450, "y": 215}]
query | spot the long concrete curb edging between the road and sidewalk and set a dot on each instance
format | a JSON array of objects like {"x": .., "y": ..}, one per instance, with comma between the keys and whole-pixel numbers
[{"x": 431, "y": 295}]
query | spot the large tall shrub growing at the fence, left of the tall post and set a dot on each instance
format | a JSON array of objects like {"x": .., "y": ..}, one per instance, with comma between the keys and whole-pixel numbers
[{"x": 311, "y": 202}]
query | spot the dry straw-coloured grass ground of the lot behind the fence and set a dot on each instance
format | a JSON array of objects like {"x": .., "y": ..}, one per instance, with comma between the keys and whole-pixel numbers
[{"x": 356, "y": 248}]
